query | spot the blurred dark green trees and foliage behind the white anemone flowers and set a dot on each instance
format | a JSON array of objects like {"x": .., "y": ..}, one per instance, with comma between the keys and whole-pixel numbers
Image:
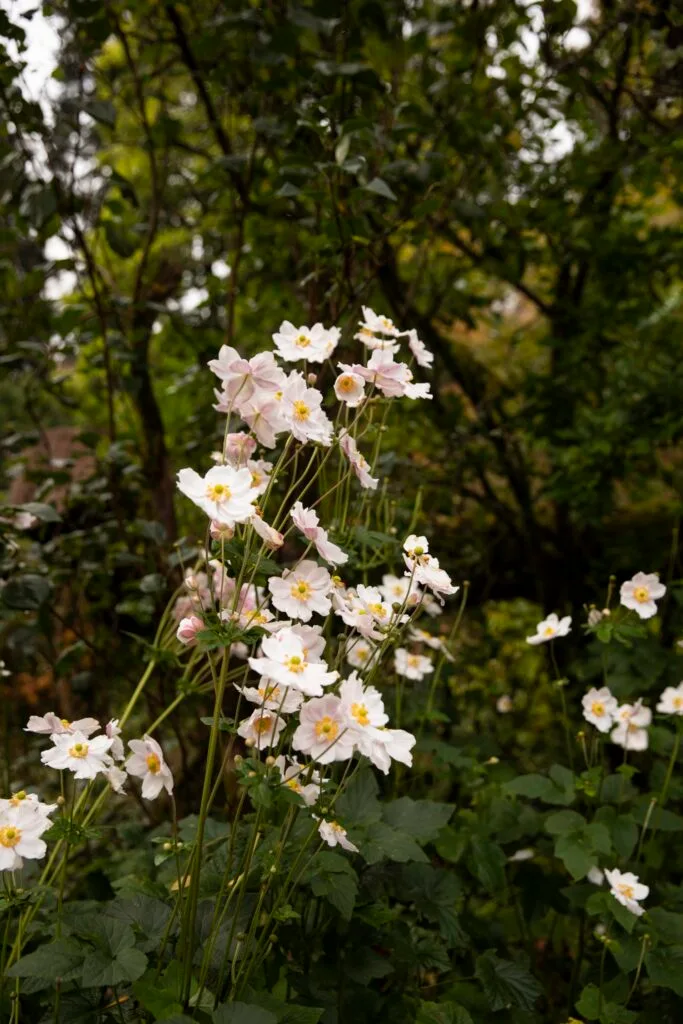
[{"x": 502, "y": 177}]
